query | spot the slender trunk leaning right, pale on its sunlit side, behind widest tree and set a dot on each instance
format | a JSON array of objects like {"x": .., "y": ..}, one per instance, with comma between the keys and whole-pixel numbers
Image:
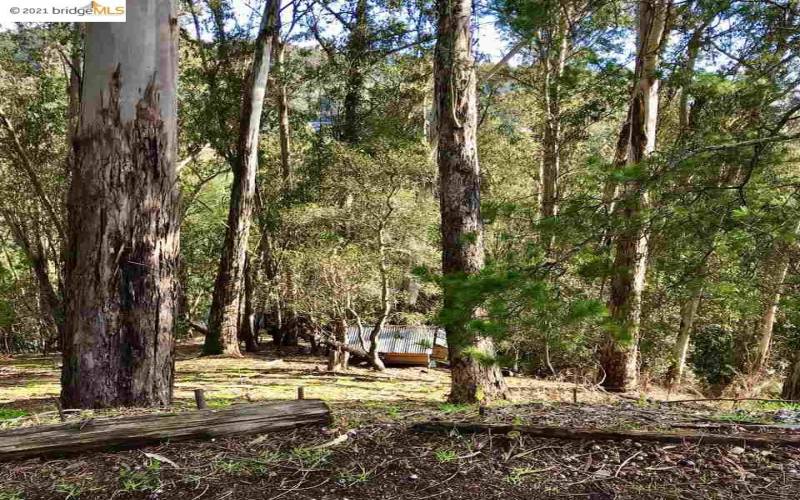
[{"x": 223, "y": 335}]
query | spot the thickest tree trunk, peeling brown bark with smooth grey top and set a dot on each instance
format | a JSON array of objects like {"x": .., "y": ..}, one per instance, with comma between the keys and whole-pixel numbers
[{"x": 122, "y": 256}]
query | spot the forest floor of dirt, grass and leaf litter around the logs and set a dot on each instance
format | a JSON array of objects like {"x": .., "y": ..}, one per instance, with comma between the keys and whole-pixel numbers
[{"x": 382, "y": 457}]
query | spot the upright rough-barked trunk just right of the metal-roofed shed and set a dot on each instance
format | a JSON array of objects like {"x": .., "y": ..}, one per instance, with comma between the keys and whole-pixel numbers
[{"x": 459, "y": 191}]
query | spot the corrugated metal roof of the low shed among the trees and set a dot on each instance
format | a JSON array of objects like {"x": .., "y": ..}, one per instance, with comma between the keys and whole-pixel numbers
[{"x": 405, "y": 339}]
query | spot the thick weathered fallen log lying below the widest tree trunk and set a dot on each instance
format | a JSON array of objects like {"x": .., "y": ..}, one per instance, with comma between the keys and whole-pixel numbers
[{"x": 131, "y": 432}]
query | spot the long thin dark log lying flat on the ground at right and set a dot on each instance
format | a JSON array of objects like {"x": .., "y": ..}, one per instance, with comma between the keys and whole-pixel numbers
[{"x": 741, "y": 439}]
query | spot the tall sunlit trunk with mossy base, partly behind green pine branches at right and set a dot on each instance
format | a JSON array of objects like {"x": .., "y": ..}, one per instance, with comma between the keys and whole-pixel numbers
[{"x": 619, "y": 352}]
